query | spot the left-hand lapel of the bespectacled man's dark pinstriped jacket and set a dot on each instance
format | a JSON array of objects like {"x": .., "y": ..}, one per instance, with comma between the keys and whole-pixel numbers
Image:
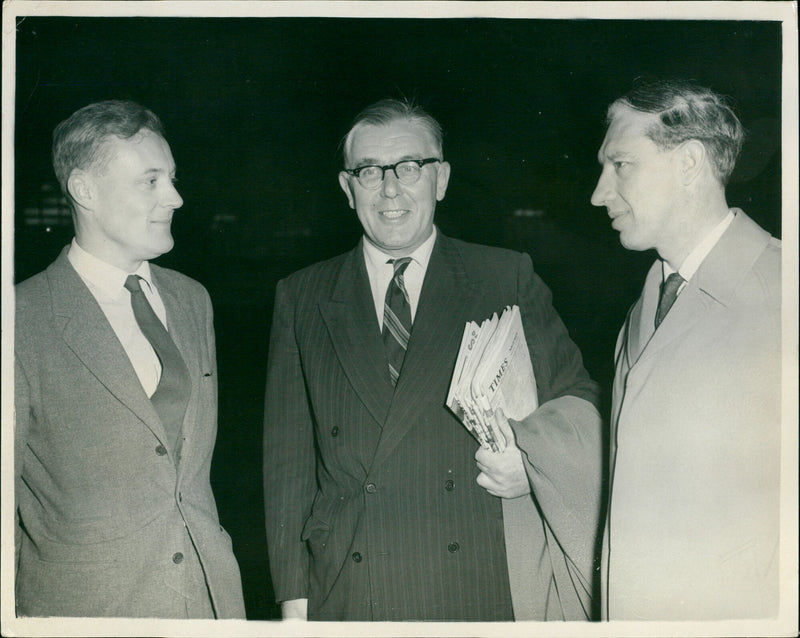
[{"x": 353, "y": 329}]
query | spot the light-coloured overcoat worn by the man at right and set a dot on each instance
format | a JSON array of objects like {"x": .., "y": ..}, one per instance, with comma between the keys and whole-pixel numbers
[{"x": 692, "y": 530}]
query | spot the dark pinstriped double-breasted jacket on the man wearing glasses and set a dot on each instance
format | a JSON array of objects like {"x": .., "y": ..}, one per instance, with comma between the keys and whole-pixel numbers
[{"x": 372, "y": 509}]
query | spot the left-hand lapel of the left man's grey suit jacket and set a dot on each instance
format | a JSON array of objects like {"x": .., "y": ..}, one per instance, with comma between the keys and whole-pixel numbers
[{"x": 88, "y": 334}]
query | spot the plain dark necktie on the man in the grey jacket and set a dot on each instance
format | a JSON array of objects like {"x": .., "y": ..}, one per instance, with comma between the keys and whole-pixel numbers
[{"x": 172, "y": 394}]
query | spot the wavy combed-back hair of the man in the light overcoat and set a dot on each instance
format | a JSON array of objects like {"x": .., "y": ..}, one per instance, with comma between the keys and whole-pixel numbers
[{"x": 687, "y": 111}]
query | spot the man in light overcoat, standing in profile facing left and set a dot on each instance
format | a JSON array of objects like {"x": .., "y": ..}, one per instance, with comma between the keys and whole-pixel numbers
[{"x": 693, "y": 516}]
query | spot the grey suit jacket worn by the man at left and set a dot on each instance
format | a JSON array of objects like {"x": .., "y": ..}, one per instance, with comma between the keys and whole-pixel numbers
[{"x": 109, "y": 522}]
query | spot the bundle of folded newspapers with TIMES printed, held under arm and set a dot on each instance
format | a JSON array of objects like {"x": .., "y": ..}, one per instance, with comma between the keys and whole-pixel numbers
[{"x": 493, "y": 370}]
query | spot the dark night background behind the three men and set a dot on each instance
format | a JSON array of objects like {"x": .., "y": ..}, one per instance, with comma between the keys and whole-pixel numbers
[{"x": 255, "y": 109}]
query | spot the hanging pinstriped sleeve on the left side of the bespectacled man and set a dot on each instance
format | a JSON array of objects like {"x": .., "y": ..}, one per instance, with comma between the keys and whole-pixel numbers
[{"x": 289, "y": 460}]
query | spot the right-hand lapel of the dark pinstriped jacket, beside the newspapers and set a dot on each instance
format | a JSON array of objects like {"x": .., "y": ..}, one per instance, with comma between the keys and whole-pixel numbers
[{"x": 446, "y": 299}]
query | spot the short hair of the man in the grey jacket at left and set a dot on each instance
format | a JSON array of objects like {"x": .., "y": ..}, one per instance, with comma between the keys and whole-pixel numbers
[{"x": 79, "y": 141}]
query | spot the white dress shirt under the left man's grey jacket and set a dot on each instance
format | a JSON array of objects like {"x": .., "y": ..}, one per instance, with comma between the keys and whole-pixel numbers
[{"x": 107, "y": 285}]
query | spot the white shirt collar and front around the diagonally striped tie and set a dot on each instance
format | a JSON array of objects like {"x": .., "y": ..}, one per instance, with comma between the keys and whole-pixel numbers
[{"x": 380, "y": 273}]
